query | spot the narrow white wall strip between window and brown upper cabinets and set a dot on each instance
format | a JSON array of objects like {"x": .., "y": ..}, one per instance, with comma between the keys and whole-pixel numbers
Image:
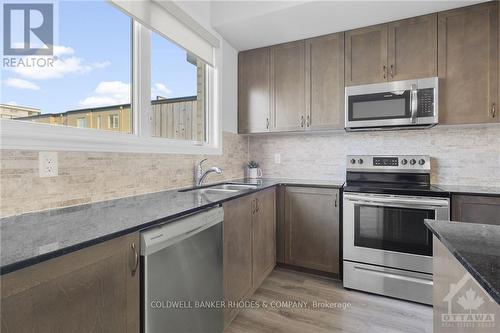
[{"x": 227, "y": 58}]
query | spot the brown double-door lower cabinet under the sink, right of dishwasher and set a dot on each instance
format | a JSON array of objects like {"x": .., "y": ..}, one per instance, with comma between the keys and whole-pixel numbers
[{"x": 249, "y": 245}]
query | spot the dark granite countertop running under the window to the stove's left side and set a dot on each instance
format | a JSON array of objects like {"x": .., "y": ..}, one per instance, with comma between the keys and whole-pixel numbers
[{"x": 34, "y": 237}]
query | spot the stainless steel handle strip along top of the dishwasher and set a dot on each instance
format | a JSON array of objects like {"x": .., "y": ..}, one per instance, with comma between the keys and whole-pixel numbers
[{"x": 158, "y": 238}]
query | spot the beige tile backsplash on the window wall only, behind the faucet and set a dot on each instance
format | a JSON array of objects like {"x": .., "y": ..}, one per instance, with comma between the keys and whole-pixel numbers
[{"x": 88, "y": 177}]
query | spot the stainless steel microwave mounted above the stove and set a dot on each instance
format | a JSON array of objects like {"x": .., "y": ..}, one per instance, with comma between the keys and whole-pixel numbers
[{"x": 392, "y": 105}]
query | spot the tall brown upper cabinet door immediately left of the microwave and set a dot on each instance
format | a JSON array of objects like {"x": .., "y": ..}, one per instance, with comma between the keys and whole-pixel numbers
[{"x": 325, "y": 82}]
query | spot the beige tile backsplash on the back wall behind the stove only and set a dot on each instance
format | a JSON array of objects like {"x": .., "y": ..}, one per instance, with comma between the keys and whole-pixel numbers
[{"x": 462, "y": 155}]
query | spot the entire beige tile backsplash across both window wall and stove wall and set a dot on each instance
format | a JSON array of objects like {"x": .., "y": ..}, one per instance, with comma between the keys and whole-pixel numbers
[{"x": 461, "y": 155}]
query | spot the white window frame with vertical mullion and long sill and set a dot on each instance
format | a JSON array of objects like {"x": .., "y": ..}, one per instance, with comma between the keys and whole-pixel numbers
[{"x": 23, "y": 135}]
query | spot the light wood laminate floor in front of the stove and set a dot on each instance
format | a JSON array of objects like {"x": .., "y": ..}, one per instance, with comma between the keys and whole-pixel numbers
[{"x": 367, "y": 313}]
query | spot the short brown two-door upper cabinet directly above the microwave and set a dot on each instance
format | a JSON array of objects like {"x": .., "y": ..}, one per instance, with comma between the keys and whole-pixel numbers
[{"x": 399, "y": 50}]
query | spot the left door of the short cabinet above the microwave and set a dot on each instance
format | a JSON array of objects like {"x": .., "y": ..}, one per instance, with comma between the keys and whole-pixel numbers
[{"x": 366, "y": 55}]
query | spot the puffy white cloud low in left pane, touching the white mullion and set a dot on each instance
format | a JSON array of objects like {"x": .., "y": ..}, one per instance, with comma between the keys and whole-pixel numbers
[{"x": 108, "y": 93}]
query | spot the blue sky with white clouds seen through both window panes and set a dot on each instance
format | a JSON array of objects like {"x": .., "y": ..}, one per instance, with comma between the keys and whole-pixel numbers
[{"x": 93, "y": 66}]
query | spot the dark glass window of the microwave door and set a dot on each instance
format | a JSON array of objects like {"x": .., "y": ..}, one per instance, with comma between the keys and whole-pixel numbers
[{"x": 390, "y": 105}]
